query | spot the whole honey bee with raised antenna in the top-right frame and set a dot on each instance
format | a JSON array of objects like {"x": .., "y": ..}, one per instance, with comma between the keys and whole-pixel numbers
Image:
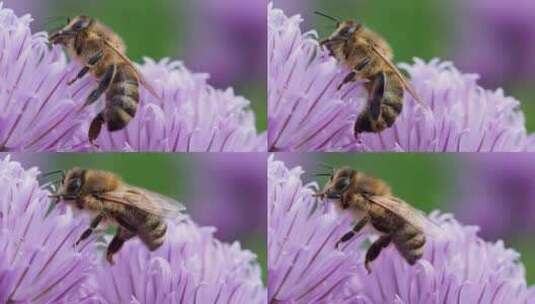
[{"x": 369, "y": 57}]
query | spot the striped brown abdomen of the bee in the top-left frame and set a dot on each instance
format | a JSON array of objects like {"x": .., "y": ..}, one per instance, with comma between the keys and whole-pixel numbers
[{"x": 122, "y": 98}]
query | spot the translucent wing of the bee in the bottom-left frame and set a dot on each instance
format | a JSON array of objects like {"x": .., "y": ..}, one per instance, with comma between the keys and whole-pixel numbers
[{"x": 145, "y": 200}]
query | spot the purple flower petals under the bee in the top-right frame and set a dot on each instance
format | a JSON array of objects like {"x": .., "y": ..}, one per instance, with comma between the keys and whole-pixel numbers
[{"x": 306, "y": 112}]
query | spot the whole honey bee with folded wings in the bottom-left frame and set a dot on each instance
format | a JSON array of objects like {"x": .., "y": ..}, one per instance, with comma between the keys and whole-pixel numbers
[{"x": 136, "y": 211}]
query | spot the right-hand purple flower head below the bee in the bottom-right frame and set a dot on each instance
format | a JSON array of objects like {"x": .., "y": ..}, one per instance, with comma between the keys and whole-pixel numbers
[{"x": 457, "y": 268}]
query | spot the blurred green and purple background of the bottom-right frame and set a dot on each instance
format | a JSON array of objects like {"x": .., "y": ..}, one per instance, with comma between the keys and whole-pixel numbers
[{"x": 492, "y": 190}]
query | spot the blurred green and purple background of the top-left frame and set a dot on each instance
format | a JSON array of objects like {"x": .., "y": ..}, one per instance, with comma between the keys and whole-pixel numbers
[{"x": 227, "y": 39}]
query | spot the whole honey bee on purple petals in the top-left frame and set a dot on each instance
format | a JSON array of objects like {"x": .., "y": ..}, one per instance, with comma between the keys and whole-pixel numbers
[{"x": 102, "y": 52}]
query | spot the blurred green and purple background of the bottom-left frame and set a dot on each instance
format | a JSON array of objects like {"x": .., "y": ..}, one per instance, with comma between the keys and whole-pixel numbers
[{"x": 224, "y": 190}]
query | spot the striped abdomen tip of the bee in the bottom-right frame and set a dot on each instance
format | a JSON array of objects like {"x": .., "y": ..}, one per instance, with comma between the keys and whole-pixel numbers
[{"x": 410, "y": 242}]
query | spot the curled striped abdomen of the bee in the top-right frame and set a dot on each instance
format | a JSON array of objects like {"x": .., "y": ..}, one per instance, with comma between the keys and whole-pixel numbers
[{"x": 391, "y": 104}]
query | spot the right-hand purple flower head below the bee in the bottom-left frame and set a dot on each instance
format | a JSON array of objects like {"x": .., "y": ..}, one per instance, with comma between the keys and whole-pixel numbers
[{"x": 191, "y": 267}]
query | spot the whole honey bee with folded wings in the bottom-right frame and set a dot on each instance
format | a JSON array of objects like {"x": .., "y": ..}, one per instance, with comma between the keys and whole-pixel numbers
[{"x": 370, "y": 200}]
